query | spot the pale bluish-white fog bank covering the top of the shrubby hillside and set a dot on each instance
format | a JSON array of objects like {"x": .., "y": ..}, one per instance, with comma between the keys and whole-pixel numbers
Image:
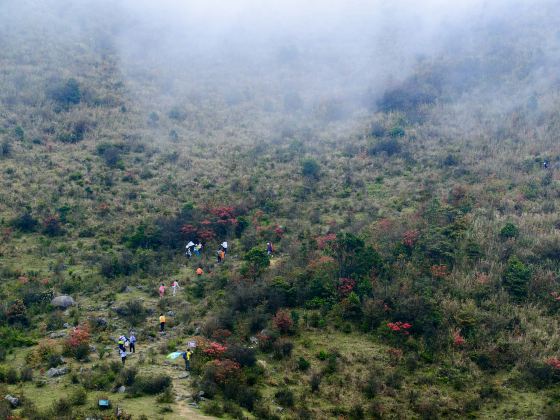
[{"x": 280, "y": 55}]
